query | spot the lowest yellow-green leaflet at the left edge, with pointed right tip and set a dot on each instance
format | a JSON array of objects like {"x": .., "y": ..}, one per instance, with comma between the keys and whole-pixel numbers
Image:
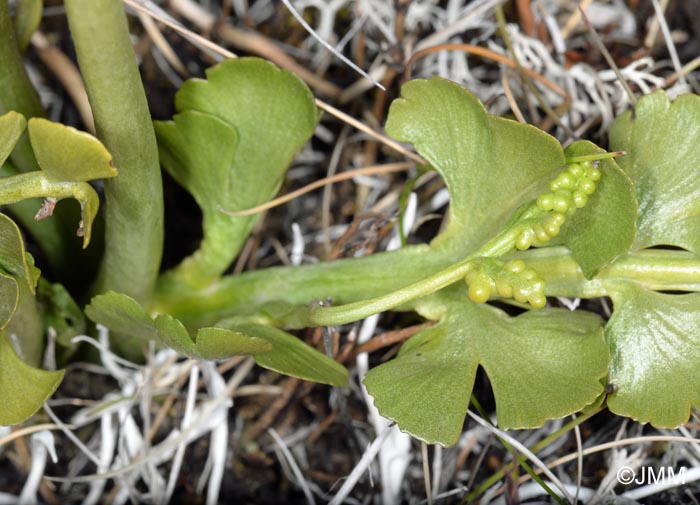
[{"x": 23, "y": 388}]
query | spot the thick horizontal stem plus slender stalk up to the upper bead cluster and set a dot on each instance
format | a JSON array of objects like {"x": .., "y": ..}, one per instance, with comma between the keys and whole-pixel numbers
[{"x": 366, "y": 286}]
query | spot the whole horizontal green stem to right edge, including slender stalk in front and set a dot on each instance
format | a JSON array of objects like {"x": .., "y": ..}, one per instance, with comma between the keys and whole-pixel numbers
[{"x": 362, "y": 284}]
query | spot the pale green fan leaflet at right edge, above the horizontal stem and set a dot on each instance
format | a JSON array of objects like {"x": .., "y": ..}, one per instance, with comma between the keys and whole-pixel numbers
[{"x": 663, "y": 156}]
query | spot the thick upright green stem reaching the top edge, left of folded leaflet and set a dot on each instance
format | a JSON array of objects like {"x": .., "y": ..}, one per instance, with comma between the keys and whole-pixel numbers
[{"x": 134, "y": 199}]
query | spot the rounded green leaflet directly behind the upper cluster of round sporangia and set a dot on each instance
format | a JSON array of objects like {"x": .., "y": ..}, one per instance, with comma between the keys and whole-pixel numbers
[{"x": 606, "y": 227}]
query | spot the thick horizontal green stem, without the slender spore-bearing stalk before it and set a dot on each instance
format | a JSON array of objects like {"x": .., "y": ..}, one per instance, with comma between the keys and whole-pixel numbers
[{"x": 280, "y": 290}]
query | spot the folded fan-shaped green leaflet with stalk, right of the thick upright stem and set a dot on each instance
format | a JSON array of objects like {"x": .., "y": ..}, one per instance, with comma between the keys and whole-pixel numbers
[{"x": 230, "y": 145}]
